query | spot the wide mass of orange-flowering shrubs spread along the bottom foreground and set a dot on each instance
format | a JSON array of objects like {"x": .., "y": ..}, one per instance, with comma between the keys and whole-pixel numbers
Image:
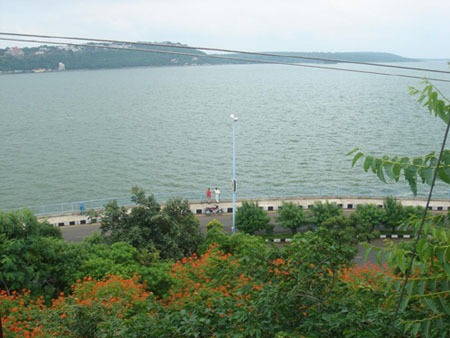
[{"x": 296, "y": 291}]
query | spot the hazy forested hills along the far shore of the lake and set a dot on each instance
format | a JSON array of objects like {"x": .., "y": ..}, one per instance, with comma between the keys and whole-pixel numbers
[{"x": 88, "y": 57}]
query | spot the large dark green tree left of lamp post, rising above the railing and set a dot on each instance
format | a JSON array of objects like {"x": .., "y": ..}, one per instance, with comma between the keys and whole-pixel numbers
[{"x": 173, "y": 231}]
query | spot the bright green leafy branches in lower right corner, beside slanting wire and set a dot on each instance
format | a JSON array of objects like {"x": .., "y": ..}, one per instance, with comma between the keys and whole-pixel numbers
[{"x": 425, "y": 308}]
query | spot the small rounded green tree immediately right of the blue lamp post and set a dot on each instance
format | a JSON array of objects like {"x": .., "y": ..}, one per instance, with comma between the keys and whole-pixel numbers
[{"x": 251, "y": 218}]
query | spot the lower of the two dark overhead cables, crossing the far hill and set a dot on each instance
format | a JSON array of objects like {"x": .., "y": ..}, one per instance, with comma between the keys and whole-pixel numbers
[{"x": 224, "y": 58}]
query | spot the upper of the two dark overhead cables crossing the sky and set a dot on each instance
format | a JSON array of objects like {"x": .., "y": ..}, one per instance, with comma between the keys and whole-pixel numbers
[{"x": 154, "y": 44}]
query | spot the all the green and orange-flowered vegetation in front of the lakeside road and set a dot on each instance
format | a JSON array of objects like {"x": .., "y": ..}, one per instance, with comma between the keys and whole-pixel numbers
[{"x": 150, "y": 273}]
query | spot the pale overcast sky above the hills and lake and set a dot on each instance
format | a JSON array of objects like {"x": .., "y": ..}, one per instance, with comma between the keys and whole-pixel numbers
[{"x": 410, "y": 28}]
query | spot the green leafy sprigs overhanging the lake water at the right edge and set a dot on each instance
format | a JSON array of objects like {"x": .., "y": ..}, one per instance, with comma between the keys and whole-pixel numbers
[{"x": 412, "y": 168}]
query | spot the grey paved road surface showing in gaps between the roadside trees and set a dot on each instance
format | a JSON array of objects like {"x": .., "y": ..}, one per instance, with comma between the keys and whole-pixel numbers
[{"x": 76, "y": 233}]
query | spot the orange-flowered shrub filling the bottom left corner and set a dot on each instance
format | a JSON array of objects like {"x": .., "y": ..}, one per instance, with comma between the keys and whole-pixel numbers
[{"x": 94, "y": 308}]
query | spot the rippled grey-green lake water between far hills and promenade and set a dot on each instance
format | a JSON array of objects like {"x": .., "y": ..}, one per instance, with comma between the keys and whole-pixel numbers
[{"x": 82, "y": 135}]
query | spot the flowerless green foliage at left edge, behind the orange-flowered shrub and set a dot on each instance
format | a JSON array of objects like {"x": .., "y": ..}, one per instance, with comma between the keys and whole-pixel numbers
[{"x": 34, "y": 257}]
